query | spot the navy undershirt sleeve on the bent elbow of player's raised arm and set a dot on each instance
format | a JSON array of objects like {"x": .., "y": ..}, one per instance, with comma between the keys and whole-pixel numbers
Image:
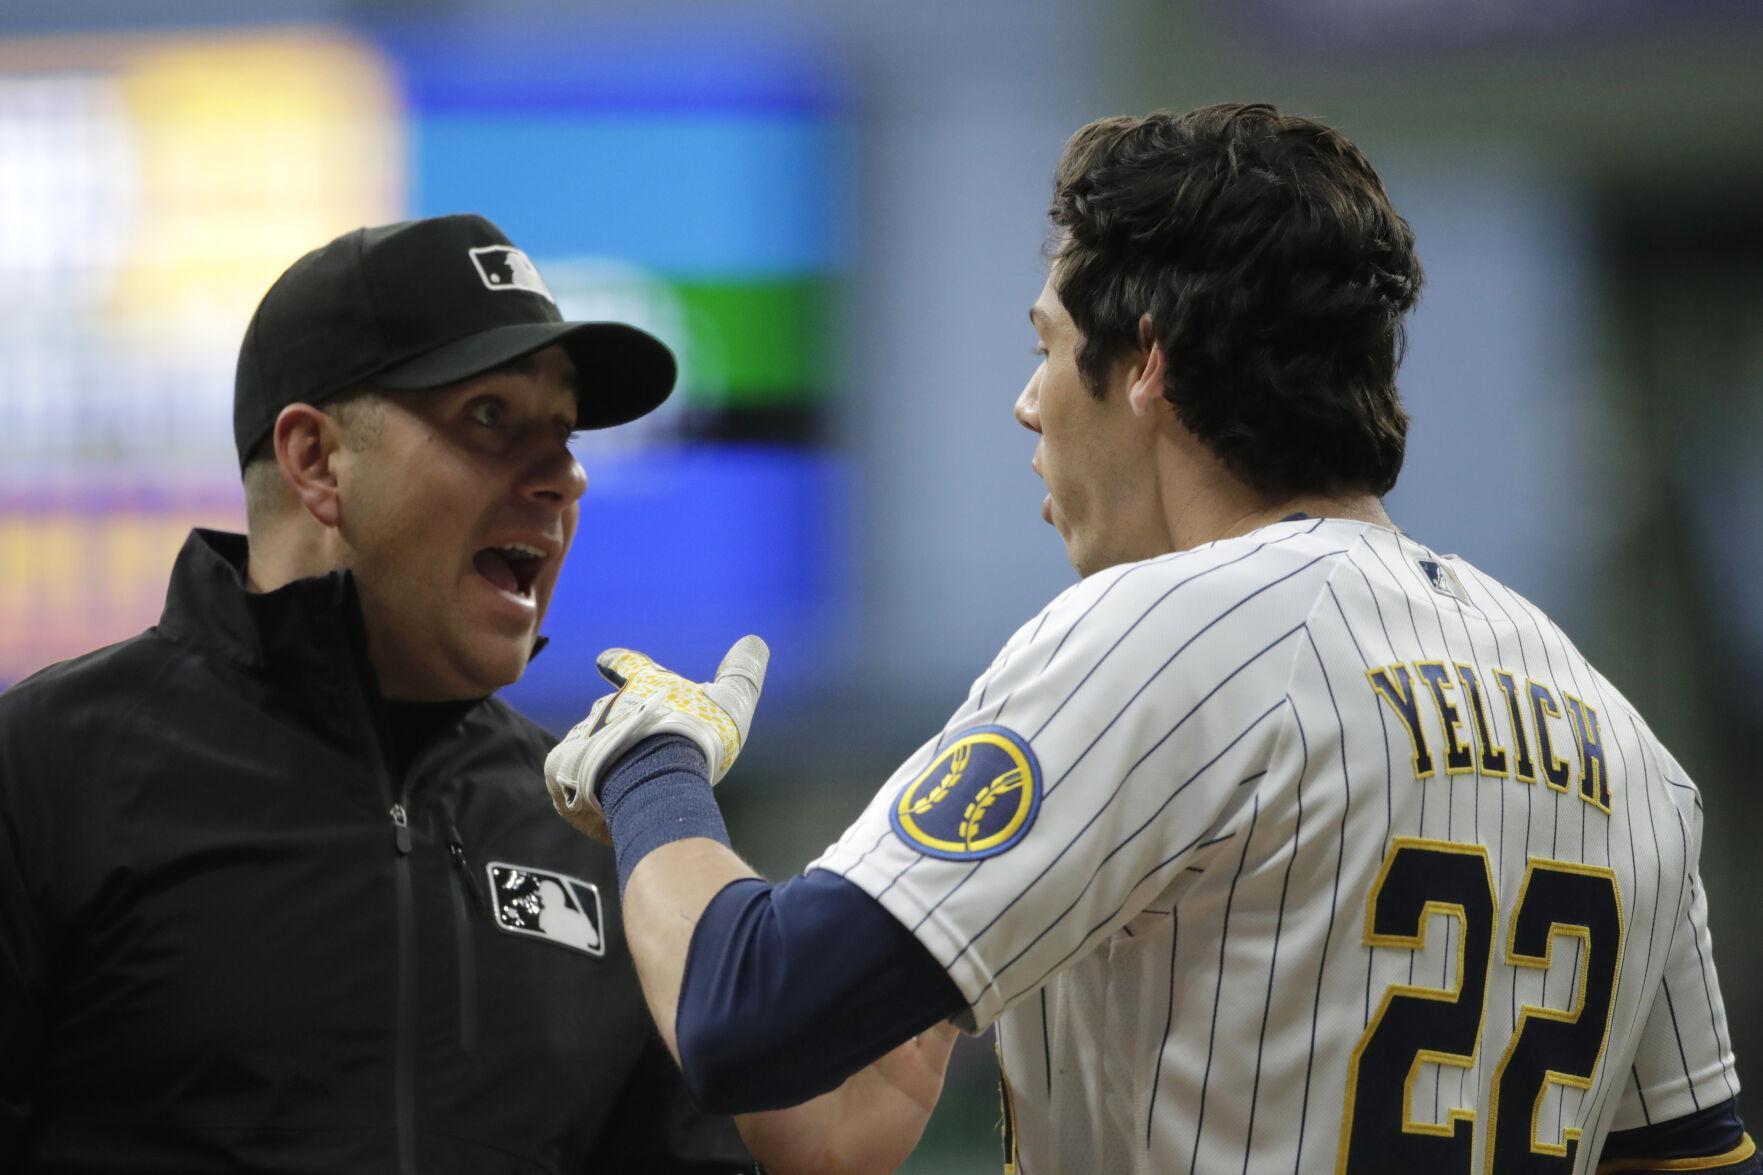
[{"x": 792, "y": 989}]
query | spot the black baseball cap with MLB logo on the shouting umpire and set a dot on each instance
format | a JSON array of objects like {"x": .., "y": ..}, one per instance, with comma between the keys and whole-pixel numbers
[{"x": 424, "y": 304}]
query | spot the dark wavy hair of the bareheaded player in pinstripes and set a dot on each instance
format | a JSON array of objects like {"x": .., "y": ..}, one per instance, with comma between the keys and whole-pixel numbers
[{"x": 1276, "y": 274}]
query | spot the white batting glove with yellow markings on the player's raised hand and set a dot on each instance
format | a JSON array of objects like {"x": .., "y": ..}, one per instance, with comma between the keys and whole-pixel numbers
[{"x": 717, "y": 715}]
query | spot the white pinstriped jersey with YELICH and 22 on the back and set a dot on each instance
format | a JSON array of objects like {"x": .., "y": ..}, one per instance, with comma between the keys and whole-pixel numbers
[{"x": 1309, "y": 851}]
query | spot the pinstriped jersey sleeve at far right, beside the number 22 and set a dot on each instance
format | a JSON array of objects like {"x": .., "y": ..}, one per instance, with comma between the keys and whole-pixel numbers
[{"x": 1685, "y": 1059}]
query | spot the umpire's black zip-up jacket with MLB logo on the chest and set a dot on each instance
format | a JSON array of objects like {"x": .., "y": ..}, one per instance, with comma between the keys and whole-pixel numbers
[{"x": 237, "y": 934}]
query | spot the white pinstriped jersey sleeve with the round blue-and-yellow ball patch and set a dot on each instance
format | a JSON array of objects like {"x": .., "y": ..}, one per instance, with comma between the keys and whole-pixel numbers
[{"x": 1105, "y": 752}]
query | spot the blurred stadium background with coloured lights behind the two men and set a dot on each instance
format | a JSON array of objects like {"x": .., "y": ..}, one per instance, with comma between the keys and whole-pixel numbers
[{"x": 835, "y": 214}]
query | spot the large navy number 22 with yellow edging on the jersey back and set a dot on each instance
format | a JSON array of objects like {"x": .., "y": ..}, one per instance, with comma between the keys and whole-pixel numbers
[{"x": 1415, "y": 1026}]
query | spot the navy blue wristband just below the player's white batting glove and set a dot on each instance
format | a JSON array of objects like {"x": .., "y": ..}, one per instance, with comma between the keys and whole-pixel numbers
[{"x": 655, "y": 795}]
